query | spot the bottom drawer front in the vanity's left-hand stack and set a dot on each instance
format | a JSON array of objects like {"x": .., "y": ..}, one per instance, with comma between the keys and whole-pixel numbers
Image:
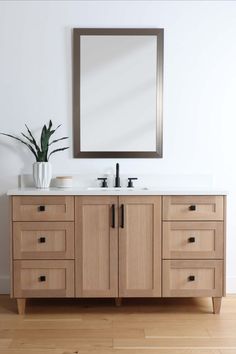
[{"x": 43, "y": 279}]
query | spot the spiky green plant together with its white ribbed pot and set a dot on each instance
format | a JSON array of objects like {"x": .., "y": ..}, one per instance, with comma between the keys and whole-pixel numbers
[{"x": 42, "y": 170}]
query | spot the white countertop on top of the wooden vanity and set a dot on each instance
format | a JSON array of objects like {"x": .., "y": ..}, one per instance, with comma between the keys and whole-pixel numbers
[{"x": 123, "y": 191}]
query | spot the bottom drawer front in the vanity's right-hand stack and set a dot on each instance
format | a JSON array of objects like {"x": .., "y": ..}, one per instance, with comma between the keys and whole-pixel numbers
[{"x": 192, "y": 278}]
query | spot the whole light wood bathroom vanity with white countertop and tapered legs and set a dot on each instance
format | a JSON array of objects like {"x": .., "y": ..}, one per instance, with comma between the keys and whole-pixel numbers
[{"x": 117, "y": 244}]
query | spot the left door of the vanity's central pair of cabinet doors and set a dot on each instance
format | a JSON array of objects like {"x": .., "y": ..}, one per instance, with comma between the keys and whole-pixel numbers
[{"x": 96, "y": 237}]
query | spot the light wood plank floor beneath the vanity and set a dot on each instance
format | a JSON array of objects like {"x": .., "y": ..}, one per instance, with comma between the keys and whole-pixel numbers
[{"x": 162, "y": 326}]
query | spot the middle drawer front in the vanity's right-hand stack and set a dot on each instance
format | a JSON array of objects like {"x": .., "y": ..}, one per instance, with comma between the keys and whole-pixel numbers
[{"x": 193, "y": 240}]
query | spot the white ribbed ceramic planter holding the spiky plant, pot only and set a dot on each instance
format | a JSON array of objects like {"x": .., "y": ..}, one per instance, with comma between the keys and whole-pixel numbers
[{"x": 42, "y": 174}]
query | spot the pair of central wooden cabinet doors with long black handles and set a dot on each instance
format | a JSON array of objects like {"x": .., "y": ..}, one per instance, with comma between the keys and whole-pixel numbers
[{"x": 118, "y": 245}]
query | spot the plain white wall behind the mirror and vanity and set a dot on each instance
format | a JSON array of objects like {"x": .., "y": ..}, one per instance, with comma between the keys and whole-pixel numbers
[{"x": 199, "y": 91}]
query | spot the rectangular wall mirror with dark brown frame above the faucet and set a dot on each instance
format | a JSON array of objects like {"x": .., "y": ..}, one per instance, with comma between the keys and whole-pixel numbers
[{"x": 117, "y": 93}]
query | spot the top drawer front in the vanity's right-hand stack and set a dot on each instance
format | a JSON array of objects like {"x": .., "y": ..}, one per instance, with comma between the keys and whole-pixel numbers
[{"x": 193, "y": 208}]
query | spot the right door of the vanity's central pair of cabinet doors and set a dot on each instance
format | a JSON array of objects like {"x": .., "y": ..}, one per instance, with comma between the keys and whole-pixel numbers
[{"x": 140, "y": 246}]
